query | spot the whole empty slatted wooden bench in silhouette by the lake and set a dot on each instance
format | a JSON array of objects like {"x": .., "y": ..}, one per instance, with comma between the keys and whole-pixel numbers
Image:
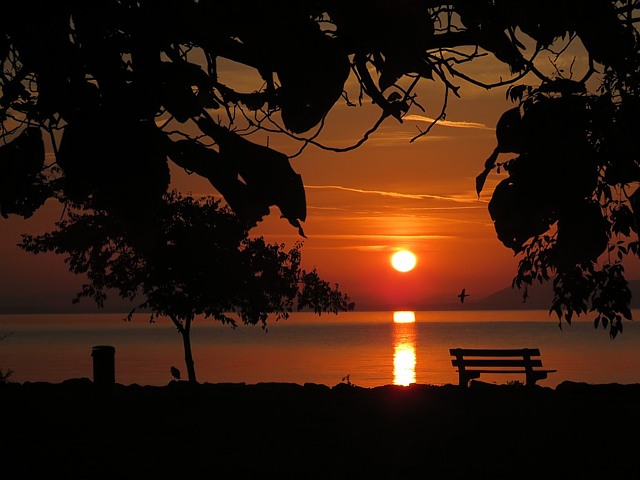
[{"x": 472, "y": 362}]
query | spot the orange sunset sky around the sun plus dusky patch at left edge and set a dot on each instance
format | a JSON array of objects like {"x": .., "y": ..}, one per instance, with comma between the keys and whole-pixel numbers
[{"x": 362, "y": 206}]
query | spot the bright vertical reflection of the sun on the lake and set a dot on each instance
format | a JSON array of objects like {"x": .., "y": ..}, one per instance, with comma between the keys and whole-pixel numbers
[{"x": 404, "y": 344}]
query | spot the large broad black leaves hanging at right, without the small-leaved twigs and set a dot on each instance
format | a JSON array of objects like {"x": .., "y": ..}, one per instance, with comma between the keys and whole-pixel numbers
[{"x": 554, "y": 173}]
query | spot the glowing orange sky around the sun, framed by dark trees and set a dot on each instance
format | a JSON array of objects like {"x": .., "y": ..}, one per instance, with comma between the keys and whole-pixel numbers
[{"x": 389, "y": 194}]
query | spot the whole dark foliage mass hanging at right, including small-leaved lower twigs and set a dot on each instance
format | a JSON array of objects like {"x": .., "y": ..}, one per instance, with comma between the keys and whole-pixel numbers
[{"x": 561, "y": 206}]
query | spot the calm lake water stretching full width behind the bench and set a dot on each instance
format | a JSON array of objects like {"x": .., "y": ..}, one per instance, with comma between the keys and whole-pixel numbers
[{"x": 369, "y": 347}]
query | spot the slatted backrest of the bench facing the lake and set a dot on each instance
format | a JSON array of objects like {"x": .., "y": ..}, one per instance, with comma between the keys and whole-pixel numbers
[{"x": 495, "y": 358}]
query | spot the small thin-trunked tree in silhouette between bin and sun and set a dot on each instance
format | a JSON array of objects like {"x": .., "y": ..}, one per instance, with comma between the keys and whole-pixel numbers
[{"x": 196, "y": 258}]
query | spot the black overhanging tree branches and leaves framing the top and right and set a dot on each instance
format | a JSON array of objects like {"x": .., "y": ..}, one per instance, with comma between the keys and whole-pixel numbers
[{"x": 119, "y": 89}]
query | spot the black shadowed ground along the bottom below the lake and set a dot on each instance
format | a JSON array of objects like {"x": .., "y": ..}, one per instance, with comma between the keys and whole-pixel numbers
[{"x": 73, "y": 430}]
